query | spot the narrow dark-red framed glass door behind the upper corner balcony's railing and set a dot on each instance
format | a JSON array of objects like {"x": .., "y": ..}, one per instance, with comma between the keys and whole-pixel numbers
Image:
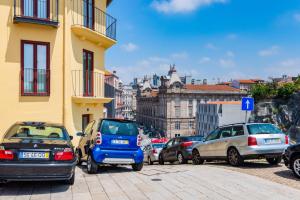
[{"x": 88, "y": 13}]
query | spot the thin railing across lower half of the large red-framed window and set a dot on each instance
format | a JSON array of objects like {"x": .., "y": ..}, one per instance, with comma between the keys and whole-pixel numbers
[{"x": 35, "y": 82}]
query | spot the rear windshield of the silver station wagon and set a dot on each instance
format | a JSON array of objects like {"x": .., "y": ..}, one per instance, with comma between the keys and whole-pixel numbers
[{"x": 255, "y": 129}]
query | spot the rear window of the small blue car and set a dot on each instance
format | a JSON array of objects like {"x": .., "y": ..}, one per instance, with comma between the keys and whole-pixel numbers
[{"x": 110, "y": 127}]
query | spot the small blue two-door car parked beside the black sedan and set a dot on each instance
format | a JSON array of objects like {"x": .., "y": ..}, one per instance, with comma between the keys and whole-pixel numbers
[{"x": 110, "y": 141}]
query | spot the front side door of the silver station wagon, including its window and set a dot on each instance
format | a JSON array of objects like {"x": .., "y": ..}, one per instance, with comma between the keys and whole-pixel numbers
[{"x": 208, "y": 148}]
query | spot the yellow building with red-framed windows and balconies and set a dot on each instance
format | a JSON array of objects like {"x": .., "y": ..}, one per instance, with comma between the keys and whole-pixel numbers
[{"x": 52, "y": 61}]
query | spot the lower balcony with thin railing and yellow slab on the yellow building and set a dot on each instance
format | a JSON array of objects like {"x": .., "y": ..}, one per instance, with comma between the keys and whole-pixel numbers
[{"x": 88, "y": 87}]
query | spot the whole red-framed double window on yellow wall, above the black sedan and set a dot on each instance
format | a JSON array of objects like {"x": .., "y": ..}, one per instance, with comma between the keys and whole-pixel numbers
[{"x": 35, "y": 75}]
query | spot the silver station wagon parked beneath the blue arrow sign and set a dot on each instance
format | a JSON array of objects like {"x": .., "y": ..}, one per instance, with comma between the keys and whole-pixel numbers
[{"x": 238, "y": 142}]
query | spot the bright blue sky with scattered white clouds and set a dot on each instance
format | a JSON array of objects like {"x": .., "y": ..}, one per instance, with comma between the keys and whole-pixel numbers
[{"x": 213, "y": 39}]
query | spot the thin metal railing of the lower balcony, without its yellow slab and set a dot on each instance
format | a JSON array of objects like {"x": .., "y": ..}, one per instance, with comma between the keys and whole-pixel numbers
[{"x": 87, "y": 84}]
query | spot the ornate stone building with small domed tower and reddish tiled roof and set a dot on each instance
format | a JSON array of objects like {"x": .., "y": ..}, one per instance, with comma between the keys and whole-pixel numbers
[{"x": 172, "y": 107}]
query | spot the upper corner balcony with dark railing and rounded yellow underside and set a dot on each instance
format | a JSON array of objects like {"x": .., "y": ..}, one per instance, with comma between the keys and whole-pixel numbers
[{"x": 91, "y": 23}]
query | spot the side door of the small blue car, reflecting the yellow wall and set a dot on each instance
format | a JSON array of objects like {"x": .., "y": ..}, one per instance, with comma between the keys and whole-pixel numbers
[{"x": 84, "y": 143}]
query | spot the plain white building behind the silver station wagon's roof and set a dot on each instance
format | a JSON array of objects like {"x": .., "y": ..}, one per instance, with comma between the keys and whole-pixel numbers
[{"x": 213, "y": 114}]
